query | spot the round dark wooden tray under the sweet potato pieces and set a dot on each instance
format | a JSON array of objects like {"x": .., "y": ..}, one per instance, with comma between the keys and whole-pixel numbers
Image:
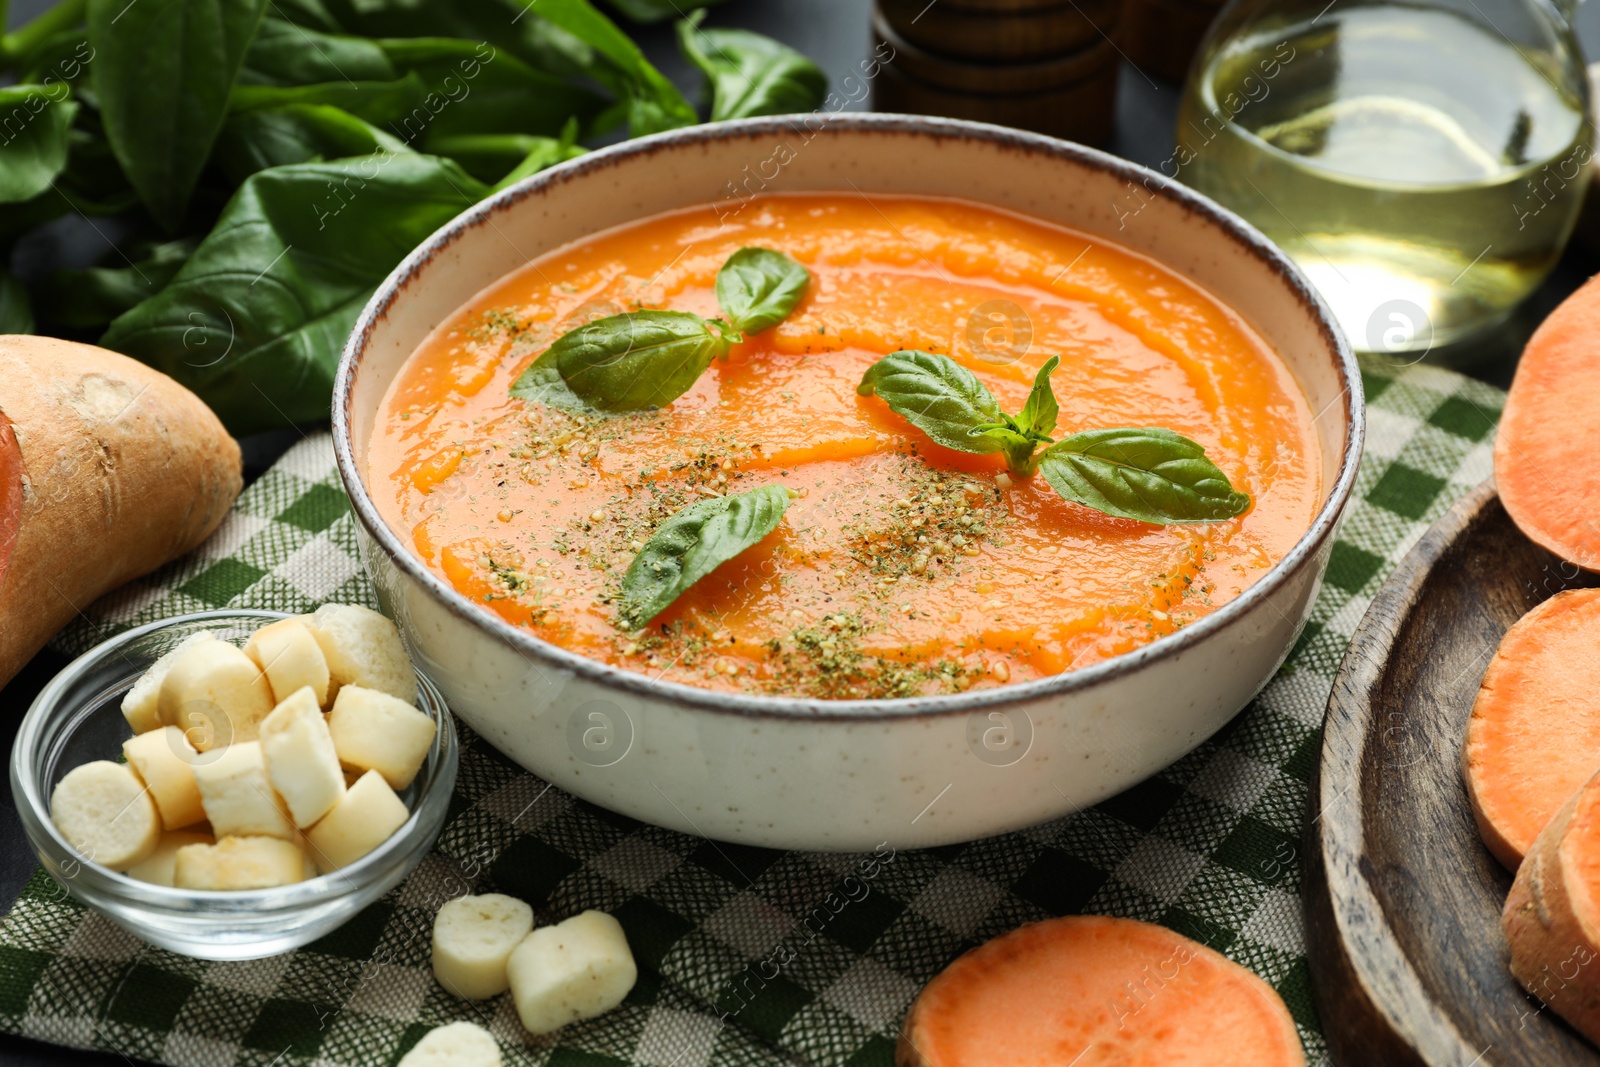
[{"x": 1402, "y": 900}]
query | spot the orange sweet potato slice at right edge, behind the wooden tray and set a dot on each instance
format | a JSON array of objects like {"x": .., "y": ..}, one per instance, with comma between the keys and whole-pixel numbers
[{"x": 1543, "y": 463}]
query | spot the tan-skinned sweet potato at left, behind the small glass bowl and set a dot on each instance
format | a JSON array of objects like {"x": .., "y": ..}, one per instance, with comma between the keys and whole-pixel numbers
[{"x": 108, "y": 470}]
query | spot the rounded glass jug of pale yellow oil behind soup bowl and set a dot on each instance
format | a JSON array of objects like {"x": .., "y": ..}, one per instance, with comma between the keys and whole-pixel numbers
[{"x": 1423, "y": 162}]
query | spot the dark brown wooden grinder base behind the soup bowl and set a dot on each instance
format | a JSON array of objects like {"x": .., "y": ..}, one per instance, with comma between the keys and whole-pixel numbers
[{"x": 1036, "y": 65}]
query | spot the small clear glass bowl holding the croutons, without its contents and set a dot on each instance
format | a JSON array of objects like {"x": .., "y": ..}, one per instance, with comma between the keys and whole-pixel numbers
[{"x": 79, "y": 719}]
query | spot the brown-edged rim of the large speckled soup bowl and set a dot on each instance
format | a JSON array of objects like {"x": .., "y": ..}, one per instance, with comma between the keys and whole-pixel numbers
[{"x": 583, "y": 169}]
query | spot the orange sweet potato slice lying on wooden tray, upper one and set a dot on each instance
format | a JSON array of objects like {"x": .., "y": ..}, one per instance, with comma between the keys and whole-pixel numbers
[{"x": 1535, "y": 730}]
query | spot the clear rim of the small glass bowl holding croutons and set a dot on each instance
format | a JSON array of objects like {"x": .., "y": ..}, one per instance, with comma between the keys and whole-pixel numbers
[{"x": 106, "y": 882}]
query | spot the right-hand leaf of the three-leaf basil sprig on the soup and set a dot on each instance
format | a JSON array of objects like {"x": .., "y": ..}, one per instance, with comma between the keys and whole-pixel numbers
[{"x": 1146, "y": 474}]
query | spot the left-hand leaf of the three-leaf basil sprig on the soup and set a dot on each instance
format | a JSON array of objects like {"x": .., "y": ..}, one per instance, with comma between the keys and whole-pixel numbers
[{"x": 940, "y": 398}]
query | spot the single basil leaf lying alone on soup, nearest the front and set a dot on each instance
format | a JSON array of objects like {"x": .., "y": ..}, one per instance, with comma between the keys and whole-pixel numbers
[{"x": 692, "y": 545}]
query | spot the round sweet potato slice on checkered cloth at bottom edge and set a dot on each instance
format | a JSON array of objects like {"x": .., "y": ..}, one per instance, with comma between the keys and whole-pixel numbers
[{"x": 1090, "y": 991}]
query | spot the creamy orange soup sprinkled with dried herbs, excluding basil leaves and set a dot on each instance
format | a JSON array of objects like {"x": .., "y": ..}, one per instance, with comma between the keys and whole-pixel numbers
[{"x": 900, "y": 567}]
